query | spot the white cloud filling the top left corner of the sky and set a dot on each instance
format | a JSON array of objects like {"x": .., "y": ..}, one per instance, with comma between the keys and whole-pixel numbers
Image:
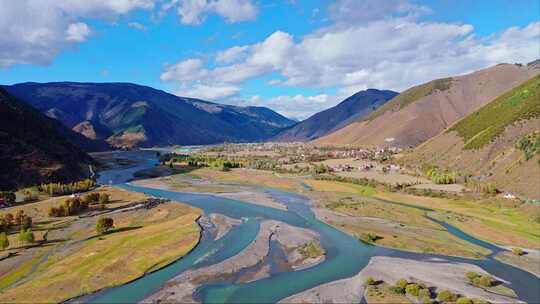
[{"x": 35, "y": 31}]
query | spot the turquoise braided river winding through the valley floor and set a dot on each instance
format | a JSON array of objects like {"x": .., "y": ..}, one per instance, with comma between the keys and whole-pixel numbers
[{"x": 345, "y": 255}]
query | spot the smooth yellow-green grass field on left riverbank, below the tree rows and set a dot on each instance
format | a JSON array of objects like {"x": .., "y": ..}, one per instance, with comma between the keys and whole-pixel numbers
[{"x": 151, "y": 239}]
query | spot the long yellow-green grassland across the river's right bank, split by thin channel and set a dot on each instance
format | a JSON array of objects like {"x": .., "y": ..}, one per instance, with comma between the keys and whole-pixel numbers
[{"x": 376, "y": 211}]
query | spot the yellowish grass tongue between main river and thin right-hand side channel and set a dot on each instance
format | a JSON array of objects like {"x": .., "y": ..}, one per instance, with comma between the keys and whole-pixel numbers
[{"x": 390, "y": 225}]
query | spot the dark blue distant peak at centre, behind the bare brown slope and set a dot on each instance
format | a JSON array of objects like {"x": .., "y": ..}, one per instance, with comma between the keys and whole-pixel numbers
[{"x": 349, "y": 110}]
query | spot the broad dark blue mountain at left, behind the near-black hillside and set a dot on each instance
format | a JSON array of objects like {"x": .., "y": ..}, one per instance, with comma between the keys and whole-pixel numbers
[{"x": 129, "y": 115}]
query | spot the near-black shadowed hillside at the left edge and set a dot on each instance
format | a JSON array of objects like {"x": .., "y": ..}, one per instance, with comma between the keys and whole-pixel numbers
[{"x": 35, "y": 148}]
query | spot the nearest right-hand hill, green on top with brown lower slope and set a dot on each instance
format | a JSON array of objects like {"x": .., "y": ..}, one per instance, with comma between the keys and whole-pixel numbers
[{"x": 499, "y": 144}]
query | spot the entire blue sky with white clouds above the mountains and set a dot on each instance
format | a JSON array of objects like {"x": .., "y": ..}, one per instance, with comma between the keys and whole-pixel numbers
[{"x": 297, "y": 57}]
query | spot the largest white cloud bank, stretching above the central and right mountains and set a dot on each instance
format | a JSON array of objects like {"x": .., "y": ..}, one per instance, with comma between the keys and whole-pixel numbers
[{"x": 392, "y": 53}]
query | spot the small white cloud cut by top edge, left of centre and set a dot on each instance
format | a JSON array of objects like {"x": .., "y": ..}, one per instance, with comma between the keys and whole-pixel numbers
[{"x": 194, "y": 12}]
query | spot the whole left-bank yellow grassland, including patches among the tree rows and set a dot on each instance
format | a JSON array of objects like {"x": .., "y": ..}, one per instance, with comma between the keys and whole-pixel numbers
[{"x": 75, "y": 261}]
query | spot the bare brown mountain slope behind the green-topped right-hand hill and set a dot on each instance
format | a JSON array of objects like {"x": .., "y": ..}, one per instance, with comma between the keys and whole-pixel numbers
[{"x": 424, "y": 111}]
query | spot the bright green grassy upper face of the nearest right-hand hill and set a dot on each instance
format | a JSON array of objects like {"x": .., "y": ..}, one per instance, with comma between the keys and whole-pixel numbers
[{"x": 484, "y": 125}]
